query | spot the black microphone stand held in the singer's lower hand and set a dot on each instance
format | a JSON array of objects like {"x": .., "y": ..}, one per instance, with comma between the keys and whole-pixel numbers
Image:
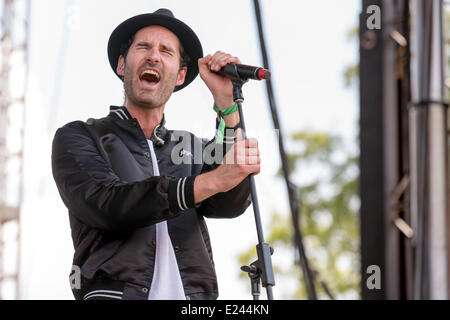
[{"x": 260, "y": 270}]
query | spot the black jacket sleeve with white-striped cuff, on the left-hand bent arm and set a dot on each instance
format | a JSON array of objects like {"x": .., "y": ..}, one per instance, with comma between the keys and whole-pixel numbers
[{"x": 95, "y": 195}]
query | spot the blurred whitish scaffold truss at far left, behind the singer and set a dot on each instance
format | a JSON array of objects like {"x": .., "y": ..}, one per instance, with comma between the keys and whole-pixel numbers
[{"x": 13, "y": 11}]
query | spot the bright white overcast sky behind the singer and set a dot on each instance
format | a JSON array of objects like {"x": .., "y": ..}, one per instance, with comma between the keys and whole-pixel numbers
[{"x": 70, "y": 79}]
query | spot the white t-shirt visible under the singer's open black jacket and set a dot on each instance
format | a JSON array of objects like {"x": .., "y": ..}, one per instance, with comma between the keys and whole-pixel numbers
[{"x": 166, "y": 284}]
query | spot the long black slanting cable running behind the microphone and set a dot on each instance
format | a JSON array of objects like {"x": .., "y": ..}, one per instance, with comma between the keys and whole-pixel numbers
[{"x": 292, "y": 189}]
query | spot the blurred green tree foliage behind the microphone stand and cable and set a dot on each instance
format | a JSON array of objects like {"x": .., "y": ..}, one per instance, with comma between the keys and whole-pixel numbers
[{"x": 329, "y": 219}]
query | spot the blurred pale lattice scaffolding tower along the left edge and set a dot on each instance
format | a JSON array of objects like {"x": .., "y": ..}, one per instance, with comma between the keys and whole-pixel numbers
[{"x": 13, "y": 75}]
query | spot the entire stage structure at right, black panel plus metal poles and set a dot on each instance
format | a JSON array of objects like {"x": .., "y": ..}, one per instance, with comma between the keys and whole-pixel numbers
[{"x": 404, "y": 151}]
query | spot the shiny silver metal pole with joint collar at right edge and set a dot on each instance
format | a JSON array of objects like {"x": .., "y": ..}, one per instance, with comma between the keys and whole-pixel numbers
[{"x": 429, "y": 174}]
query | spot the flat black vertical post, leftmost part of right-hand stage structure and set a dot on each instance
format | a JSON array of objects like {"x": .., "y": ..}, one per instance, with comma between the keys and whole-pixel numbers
[{"x": 371, "y": 161}]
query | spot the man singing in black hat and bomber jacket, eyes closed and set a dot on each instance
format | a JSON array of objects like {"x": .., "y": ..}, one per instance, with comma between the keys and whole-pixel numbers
[{"x": 136, "y": 199}]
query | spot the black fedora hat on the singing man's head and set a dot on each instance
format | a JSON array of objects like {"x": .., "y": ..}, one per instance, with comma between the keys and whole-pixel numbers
[{"x": 166, "y": 19}]
